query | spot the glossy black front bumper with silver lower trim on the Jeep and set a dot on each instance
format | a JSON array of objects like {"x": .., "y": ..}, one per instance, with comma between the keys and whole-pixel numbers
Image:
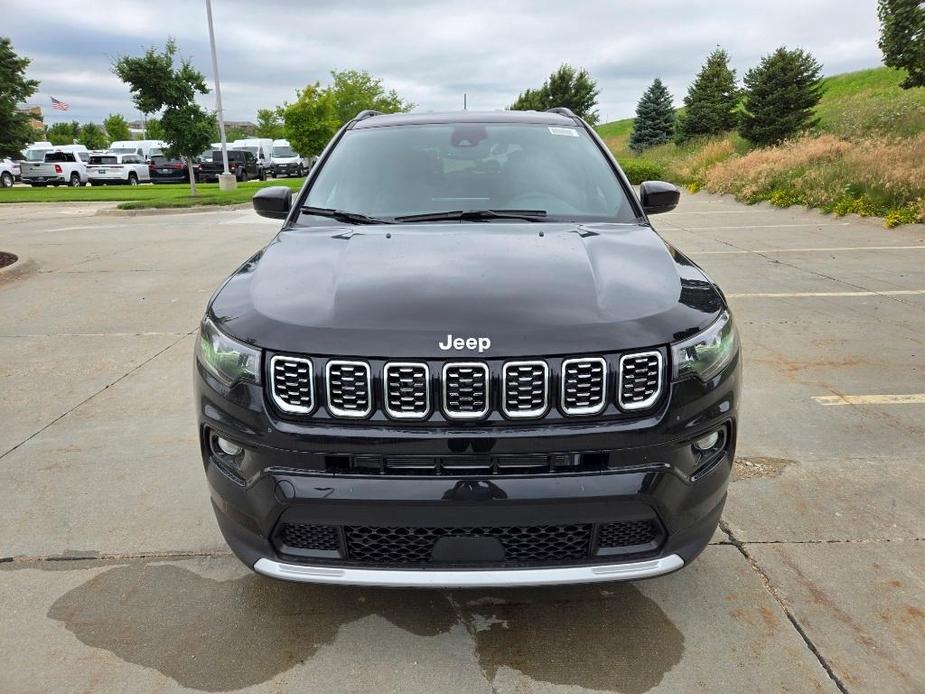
[{"x": 650, "y": 474}]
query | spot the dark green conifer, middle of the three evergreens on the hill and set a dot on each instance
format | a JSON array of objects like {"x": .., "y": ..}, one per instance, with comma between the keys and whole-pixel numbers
[{"x": 711, "y": 101}]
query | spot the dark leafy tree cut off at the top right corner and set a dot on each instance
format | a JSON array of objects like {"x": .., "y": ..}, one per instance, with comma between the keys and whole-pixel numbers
[{"x": 902, "y": 38}]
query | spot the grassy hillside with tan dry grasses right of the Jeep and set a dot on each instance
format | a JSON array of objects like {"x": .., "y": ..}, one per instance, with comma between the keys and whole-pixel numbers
[{"x": 866, "y": 156}]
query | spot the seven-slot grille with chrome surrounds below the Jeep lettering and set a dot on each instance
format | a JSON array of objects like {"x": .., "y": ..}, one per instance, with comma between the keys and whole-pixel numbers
[{"x": 467, "y": 390}]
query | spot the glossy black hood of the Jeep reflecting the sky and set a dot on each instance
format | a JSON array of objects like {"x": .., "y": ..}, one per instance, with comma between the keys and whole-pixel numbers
[{"x": 531, "y": 289}]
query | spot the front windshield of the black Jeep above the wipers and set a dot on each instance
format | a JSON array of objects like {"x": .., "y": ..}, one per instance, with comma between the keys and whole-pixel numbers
[{"x": 415, "y": 169}]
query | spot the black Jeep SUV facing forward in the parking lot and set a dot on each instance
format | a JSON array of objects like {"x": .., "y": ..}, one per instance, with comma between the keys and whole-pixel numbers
[{"x": 467, "y": 360}]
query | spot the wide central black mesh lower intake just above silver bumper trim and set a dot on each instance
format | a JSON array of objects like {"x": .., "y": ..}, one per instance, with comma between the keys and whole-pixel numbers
[{"x": 547, "y": 544}]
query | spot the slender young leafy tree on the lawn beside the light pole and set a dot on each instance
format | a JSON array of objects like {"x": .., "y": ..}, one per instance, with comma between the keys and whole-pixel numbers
[{"x": 160, "y": 86}]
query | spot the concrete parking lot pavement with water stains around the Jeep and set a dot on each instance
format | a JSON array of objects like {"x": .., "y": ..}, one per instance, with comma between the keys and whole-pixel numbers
[{"x": 114, "y": 576}]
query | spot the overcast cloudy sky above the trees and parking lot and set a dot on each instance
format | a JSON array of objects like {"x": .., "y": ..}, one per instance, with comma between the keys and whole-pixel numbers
[{"x": 430, "y": 51}]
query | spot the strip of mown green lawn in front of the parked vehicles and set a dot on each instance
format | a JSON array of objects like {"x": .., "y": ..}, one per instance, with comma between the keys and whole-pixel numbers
[{"x": 146, "y": 196}]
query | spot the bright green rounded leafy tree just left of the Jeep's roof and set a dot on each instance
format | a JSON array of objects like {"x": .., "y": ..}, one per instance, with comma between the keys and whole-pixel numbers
[{"x": 318, "y": 112}]
